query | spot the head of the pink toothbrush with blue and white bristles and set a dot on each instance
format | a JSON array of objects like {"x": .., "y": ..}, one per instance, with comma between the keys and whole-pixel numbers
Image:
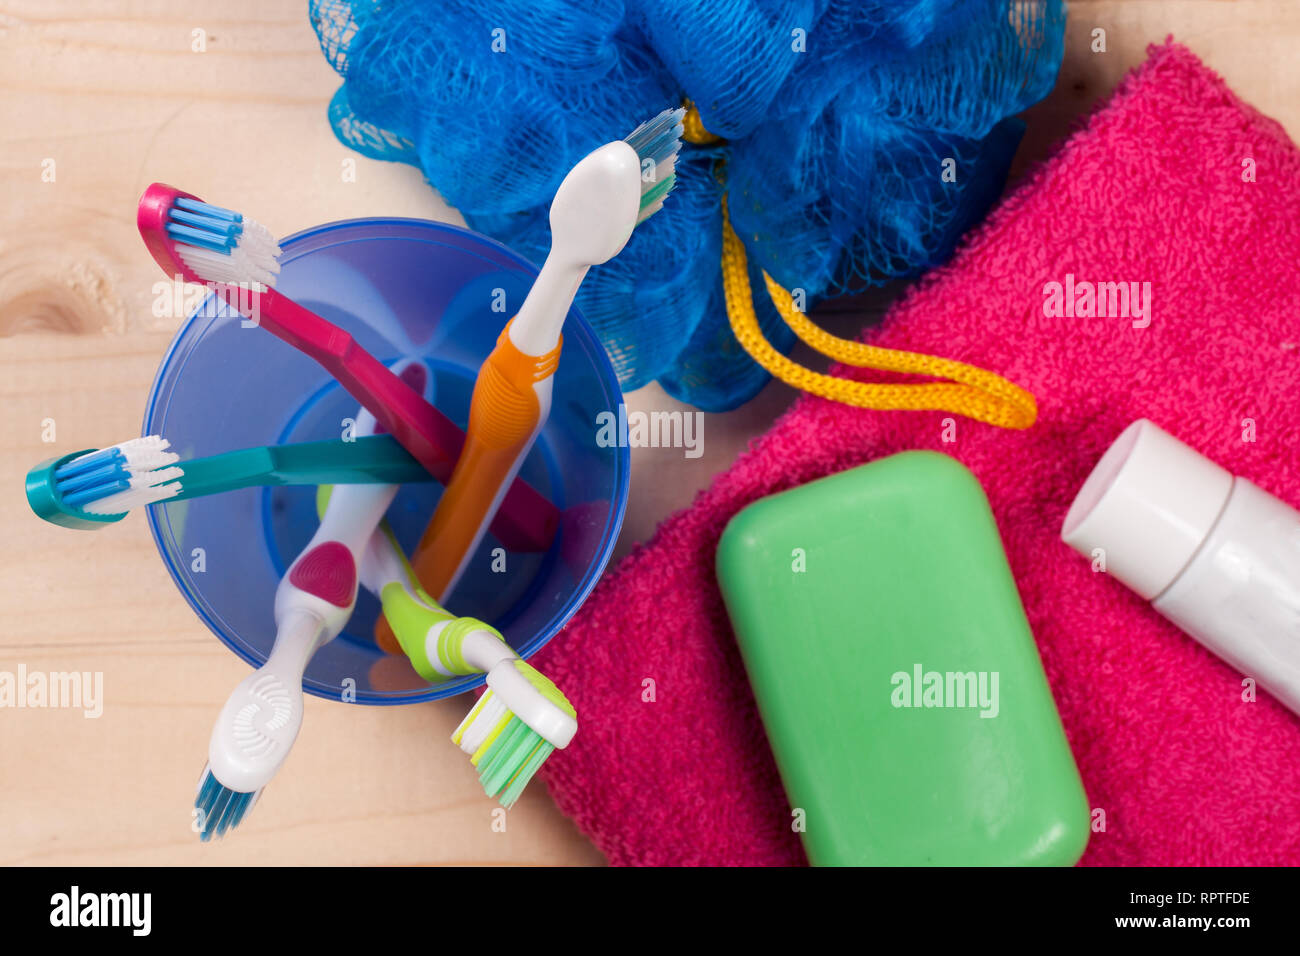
[{"x": 206, "y": 244}]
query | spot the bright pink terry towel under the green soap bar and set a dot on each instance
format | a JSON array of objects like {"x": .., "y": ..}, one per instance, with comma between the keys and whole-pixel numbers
[{"x": 1175, "y": 183}]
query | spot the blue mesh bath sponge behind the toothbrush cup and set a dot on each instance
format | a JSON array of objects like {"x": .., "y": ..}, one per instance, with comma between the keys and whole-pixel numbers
[{"x": 855, "y": 140}]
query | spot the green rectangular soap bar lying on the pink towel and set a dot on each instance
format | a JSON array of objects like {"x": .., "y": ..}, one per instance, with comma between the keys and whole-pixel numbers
[{"x": 842, "y": 594}]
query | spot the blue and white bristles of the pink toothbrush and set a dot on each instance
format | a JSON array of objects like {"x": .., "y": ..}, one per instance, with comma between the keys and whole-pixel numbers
[{"x": 223, "y": 246}]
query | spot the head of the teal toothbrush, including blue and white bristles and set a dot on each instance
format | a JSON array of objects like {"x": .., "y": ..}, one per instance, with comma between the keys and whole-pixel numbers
[{"x": 90, "y": 490}]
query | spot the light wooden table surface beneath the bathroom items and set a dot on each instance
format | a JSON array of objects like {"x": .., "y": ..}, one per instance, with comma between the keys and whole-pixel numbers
[{"x": 111, "y": 97}]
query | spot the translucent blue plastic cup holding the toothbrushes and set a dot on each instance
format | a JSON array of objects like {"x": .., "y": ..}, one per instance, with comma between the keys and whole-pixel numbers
[{"x": 402, "y": 288}]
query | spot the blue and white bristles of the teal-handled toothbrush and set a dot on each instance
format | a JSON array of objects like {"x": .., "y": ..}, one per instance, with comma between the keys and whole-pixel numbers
[{"x": 120, "y": 478}]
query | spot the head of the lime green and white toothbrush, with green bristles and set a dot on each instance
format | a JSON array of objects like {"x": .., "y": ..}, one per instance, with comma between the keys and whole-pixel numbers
[{"x": 514, "y": 728}]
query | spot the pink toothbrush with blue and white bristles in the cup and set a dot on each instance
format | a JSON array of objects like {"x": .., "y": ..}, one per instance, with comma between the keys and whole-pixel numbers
[{"x": 237, "y": 258}]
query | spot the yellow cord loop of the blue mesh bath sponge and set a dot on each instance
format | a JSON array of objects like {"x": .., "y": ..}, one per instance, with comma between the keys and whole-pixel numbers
[{"x": 969, "y": 391}]
